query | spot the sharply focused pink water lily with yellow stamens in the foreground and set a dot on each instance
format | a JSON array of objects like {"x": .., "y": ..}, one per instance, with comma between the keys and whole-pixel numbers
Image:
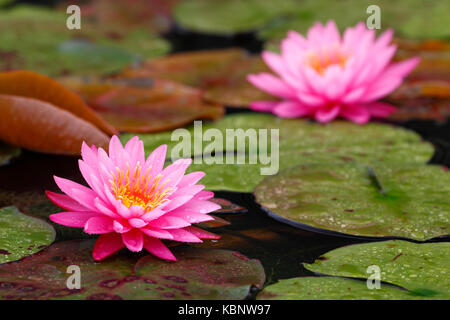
[{"x": 133, "y": 202}]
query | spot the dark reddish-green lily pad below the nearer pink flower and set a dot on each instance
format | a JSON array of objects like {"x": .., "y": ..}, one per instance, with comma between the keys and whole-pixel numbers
[{"x": 198, "y": 274}]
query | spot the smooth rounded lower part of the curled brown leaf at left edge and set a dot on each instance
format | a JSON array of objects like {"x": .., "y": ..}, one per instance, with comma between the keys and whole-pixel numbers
[{"x": 40, "y": 126}]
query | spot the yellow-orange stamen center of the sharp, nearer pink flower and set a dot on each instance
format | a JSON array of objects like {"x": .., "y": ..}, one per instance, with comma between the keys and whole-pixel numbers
[{"x": 138, "y": 188}]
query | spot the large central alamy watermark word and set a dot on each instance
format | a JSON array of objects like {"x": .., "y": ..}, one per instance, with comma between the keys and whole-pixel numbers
[{"x": 236, "y": 146}]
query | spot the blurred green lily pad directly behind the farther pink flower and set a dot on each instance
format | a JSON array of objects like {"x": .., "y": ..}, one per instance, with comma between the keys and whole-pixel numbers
[{"x": 409, "y": 18}]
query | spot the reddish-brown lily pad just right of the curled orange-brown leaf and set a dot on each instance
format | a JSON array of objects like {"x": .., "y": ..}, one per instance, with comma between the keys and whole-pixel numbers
[{"x": 144, "y": 105}]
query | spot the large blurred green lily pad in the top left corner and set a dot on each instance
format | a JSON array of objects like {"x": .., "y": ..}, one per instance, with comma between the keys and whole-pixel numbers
[{"x": 39, "y": 40}]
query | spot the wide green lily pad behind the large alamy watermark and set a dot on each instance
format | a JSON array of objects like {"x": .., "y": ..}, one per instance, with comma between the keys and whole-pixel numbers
[{"x": 300, "y": 141}]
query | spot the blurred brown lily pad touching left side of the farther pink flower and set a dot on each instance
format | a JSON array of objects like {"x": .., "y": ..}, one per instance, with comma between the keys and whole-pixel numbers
[{"x": 221, "y": 74}]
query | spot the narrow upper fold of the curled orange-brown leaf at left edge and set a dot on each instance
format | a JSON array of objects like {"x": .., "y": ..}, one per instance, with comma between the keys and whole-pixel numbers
[{"x": 37, "y": 86}]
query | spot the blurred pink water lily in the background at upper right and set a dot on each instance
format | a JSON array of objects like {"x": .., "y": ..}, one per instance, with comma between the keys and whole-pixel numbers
[{"x": 325, "y": 76}]
